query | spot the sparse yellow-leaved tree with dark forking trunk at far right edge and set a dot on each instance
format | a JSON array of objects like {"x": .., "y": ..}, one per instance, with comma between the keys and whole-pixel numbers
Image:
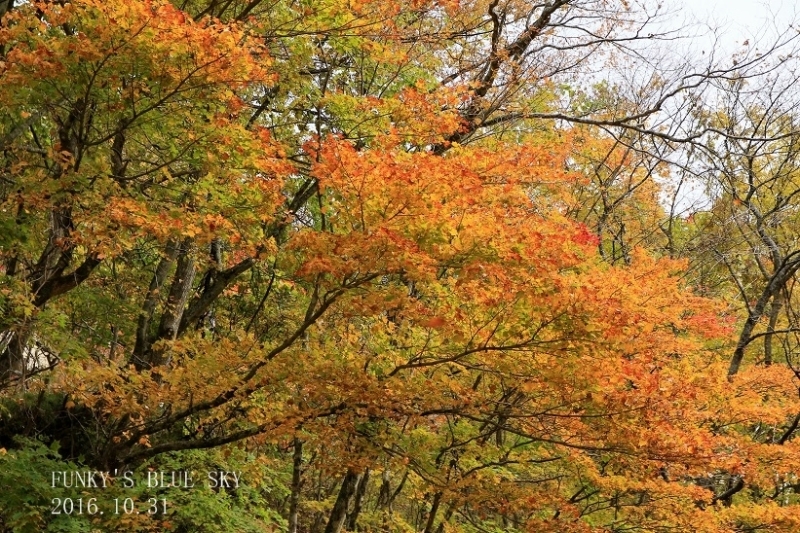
[{"x": 751, "y": 172}]
